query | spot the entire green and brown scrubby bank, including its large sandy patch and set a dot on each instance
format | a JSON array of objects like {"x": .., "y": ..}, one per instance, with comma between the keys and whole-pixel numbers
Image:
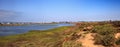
[{"x": 103, "y": 33}]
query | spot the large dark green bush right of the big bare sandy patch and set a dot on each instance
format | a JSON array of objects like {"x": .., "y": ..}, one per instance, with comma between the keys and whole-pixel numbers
[{"x": 104, "y": 35}]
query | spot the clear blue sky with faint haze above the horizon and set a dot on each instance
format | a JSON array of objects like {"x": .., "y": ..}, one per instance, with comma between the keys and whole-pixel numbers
[{"x": 58, "y": 10}]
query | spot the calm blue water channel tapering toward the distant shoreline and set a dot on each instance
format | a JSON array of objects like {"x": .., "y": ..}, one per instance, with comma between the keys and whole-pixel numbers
[{"x": 11, "y": 30}]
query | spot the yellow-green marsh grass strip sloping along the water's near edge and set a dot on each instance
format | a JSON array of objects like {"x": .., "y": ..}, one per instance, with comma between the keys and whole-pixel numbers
[{"x": 35, "y": 38}]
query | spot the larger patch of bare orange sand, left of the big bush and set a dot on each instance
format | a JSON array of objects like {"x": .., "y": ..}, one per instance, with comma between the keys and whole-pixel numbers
[{"x": 87, "y": 41}]
